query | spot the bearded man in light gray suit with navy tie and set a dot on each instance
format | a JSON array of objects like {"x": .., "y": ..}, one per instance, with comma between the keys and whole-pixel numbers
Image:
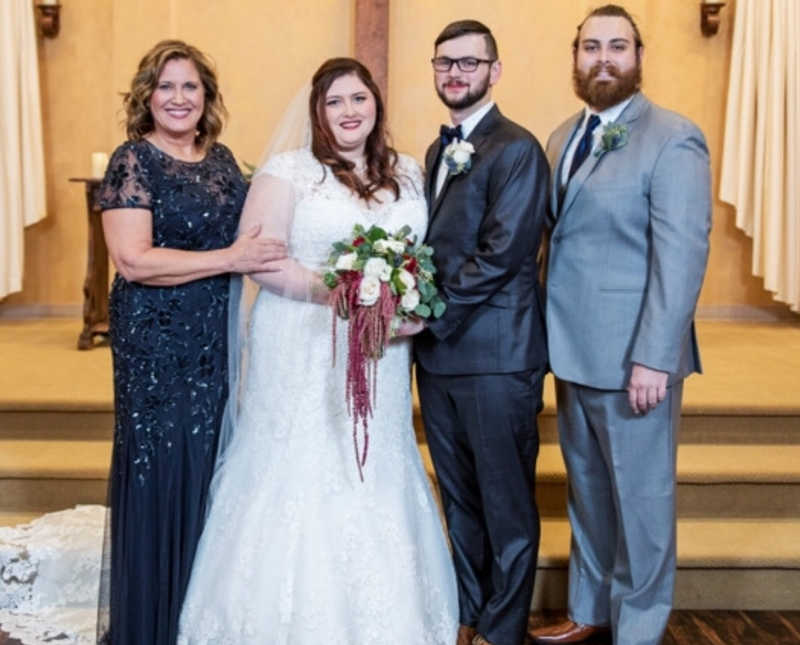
[{"x": 631, "y": 205}]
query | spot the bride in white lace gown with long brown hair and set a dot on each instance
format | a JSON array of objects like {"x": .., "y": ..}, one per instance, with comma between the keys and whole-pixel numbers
[{"x": 296, "y": 549}]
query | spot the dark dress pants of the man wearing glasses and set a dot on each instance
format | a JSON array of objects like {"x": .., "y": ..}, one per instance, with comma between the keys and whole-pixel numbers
[{"x": 483, "y": 438}]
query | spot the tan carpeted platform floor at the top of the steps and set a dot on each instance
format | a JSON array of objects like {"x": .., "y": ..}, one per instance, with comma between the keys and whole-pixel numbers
[{"x": 748, "y": 368}]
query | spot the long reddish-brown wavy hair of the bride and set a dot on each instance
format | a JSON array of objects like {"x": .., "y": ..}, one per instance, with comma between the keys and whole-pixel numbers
[{"x": 381, "y": 158}]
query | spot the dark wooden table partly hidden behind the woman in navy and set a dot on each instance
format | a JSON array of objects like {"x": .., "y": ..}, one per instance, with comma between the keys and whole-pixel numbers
[{"x": 95, "y": 285}]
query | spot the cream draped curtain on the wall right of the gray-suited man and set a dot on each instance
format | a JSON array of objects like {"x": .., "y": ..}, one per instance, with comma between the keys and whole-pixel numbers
[{"x": 760, "y": 159}]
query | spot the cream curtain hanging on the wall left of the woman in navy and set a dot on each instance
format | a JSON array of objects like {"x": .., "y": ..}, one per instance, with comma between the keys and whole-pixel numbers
[{"x": 22, "y": 187}]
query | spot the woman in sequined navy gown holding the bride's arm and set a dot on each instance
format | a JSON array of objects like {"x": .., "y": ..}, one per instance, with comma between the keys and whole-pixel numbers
[{"x": 171, "y": 202}]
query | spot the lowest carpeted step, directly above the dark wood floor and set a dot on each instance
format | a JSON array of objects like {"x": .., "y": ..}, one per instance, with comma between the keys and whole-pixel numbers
[{"x": 722, "y": 564}]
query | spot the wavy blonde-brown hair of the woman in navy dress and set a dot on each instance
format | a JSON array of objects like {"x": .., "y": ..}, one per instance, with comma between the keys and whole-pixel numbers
[{"x": 139, "y": 120}]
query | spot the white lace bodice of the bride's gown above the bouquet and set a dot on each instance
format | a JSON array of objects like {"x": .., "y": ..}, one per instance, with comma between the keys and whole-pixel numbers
[{"x": 325, "y": 209}]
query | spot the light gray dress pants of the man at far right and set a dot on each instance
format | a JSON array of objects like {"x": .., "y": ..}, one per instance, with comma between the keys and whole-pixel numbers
[{"x": 621, "y": 507}]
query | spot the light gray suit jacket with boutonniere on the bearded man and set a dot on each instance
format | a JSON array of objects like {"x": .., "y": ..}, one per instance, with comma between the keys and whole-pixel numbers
[{"x": 628, "y": 250}]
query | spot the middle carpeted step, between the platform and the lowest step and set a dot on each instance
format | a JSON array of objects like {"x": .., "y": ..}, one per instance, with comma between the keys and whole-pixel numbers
[{"x": 713, "y": 481}]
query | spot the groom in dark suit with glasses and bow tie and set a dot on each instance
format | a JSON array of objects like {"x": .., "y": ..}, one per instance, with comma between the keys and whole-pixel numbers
[{"x": 480, "y": 366}]
